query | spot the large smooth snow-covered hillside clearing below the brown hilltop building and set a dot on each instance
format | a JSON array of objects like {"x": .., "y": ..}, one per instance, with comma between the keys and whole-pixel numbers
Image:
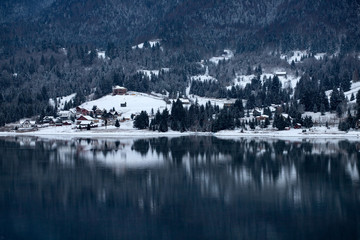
[{"x": 135, "y": 103}]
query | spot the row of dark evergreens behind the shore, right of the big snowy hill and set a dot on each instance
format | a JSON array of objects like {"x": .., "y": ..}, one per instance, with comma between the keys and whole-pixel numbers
[{"x": 210, "y": 118}]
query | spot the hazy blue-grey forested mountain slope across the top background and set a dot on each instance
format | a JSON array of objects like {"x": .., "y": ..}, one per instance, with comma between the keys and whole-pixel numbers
[{"x": 211, "y": 24}]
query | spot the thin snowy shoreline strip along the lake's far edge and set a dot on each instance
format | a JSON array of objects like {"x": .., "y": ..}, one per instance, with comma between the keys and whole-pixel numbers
[{"x": 110, "y": 132}]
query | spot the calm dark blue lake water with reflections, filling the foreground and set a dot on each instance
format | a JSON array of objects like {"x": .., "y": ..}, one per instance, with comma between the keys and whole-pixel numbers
[{"x": 179, "y": 188}]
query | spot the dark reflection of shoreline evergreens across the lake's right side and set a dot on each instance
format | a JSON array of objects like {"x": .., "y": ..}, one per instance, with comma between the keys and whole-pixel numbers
[{"x": 258, "y": 157}]
